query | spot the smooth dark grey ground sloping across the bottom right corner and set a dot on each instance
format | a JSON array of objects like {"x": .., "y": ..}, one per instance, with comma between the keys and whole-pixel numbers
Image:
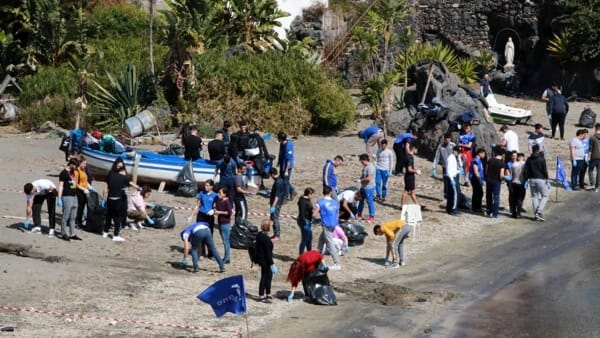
[{"x": 543, "y": 284}]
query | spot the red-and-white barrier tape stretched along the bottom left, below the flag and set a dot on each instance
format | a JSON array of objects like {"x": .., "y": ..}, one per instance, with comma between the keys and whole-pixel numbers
[{"x": 125, "y": 321}]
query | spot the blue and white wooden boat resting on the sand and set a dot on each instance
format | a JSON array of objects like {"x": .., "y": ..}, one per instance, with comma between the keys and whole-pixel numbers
[{"x": 152, "y": 168}]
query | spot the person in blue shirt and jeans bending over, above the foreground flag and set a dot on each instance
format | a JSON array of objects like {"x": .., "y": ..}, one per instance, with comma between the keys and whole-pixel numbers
[{"x": 198, "y": 234}]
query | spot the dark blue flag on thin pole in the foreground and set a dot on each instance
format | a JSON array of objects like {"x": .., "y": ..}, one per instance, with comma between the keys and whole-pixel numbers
[{"x": 226, "y": 295}]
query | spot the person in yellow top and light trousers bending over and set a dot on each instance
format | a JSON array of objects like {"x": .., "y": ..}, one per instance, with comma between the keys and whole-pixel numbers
[{"x": 395, "y": 232}]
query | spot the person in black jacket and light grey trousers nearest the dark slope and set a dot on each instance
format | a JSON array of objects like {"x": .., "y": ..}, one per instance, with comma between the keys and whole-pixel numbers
[{"x": 536, "y": 177}]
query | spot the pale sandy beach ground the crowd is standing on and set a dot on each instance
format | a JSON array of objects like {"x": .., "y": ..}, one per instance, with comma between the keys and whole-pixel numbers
[{"x": 97, "y": 288}]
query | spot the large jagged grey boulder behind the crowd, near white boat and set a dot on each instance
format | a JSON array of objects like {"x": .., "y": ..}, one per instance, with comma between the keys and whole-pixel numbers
[{"x": 455, "y": 99}]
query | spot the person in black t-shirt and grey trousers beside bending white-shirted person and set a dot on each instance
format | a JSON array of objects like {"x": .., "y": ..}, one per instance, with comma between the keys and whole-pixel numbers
[{"x": 67, "y": 199}]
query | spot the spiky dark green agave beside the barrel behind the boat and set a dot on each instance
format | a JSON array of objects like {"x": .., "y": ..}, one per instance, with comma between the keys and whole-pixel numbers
[{"x": 120, "y": 101}]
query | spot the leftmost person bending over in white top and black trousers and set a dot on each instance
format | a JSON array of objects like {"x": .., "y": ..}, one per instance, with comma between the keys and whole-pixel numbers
[{"x": 36, "y": 193}]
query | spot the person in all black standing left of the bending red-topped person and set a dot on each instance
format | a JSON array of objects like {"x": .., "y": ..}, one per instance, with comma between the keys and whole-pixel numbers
[{"x": 264, "y": 257}]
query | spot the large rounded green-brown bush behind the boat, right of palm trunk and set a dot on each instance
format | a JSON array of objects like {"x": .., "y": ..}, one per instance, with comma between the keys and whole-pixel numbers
[{"x": 273, "y": 91}]
